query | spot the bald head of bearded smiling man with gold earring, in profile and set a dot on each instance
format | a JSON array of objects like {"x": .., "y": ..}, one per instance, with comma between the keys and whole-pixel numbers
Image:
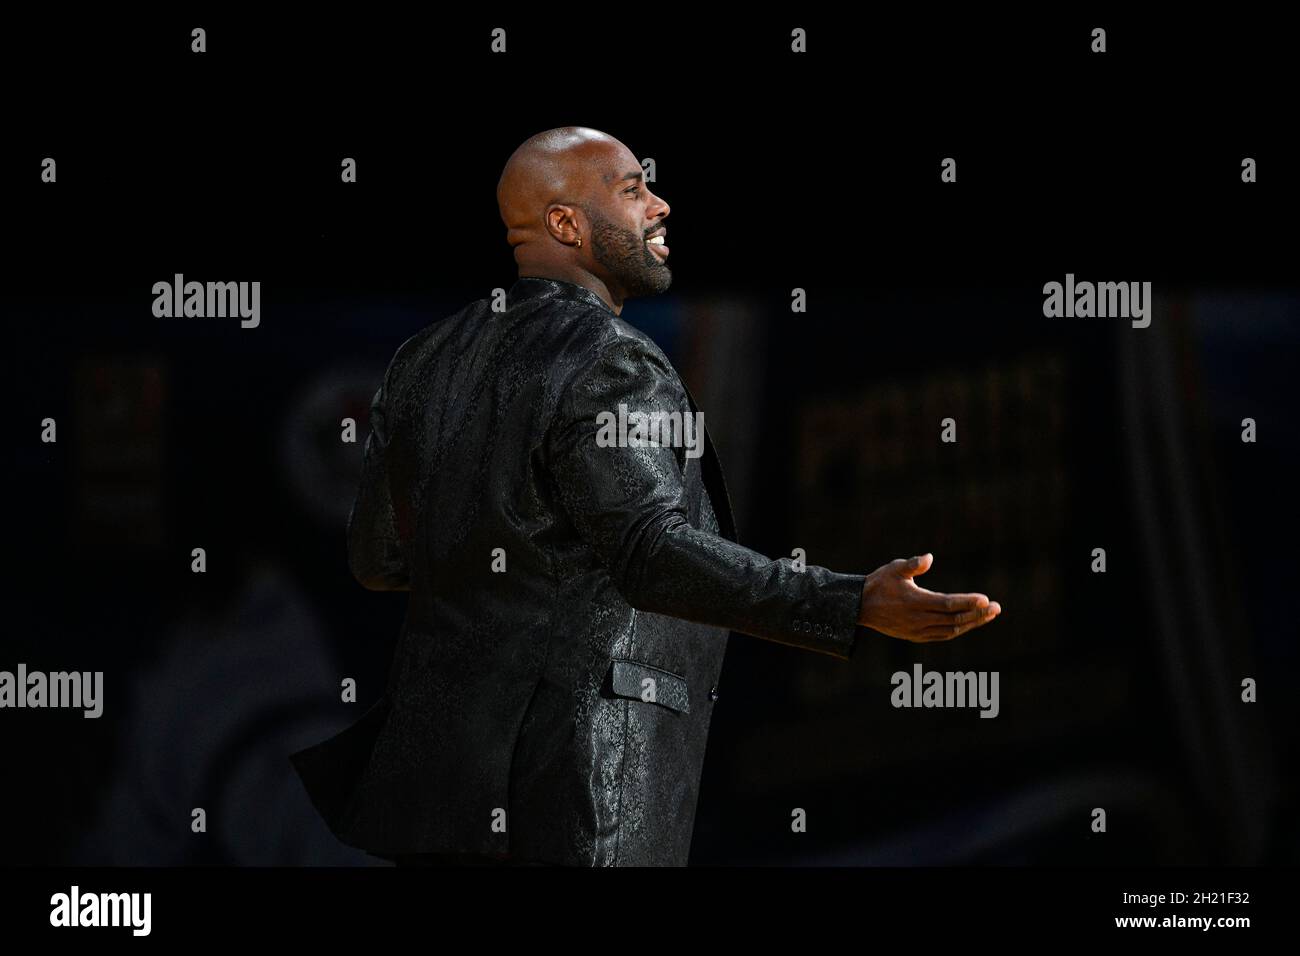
[{"x": 577, "y": 207}]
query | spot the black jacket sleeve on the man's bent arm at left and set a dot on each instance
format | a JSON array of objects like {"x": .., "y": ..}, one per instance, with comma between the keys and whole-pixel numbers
[{"x": 374, "y": 550}]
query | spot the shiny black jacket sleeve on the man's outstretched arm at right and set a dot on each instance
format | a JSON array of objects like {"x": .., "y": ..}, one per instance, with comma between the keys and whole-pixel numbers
[{"x": 630, "y": 505}]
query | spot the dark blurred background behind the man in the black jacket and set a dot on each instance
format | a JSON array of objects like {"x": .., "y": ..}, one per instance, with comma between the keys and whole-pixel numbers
[{"x": 925, "y": 302}]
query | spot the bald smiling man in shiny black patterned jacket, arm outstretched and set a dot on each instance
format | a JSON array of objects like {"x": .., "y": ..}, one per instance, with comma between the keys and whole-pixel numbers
[{"x": 570, "y": 595}]
